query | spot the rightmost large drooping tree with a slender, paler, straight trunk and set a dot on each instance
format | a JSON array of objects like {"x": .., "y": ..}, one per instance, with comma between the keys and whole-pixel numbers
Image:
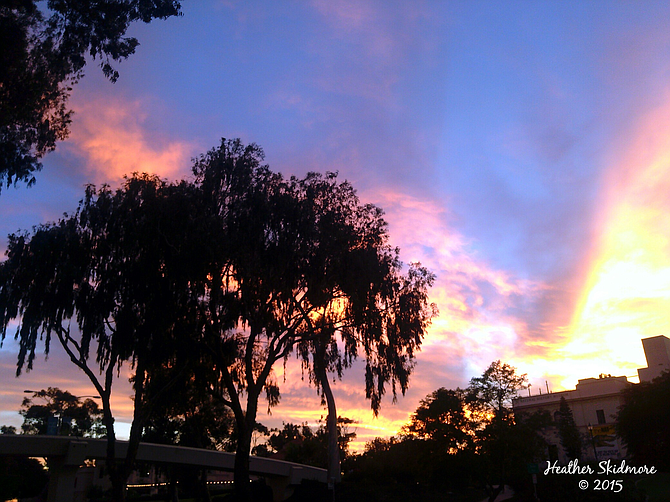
[{"x": 362, "y": 298}]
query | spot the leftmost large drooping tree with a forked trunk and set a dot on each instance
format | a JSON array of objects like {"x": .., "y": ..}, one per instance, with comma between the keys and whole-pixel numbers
[{"x": 117, "y": 268}]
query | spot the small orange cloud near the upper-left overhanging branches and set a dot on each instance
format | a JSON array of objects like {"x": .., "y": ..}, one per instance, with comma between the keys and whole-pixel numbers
[{"x": 113, "y": 137}]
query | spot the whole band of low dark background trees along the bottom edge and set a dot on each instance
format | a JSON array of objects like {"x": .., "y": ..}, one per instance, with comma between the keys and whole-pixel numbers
[{"x": 453, "y": 442}]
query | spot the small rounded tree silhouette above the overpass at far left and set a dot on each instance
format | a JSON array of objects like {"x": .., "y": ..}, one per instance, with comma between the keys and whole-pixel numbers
[{"x": 75, "y": 417}]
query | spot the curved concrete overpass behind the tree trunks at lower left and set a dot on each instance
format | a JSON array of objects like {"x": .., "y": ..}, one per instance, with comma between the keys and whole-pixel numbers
[{"x": 66, "y": 454}]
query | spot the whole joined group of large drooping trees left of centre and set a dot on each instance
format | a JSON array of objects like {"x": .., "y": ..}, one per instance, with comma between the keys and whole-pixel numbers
[{"x": 246, "y": 265}]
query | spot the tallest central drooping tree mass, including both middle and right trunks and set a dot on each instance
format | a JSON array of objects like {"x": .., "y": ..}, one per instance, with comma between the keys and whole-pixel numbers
[{"x": 299, "y": 262}]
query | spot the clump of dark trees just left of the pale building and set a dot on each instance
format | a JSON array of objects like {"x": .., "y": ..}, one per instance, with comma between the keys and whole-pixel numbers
[{"x": 458, "y": 439}]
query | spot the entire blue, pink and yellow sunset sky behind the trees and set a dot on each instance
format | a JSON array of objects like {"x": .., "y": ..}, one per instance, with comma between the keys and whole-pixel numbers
[{"x": 520, "y": 150}]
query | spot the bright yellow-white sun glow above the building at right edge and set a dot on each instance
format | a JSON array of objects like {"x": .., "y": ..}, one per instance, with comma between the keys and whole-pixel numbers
[{"x": 626, "y": 295}]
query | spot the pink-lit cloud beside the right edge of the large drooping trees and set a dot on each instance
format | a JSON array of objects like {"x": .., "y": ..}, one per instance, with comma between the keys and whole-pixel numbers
[{"x": 481, "y": 308}]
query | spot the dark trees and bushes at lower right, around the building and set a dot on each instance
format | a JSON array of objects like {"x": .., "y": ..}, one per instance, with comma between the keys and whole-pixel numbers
[{"x": 462, "y": 442}]
